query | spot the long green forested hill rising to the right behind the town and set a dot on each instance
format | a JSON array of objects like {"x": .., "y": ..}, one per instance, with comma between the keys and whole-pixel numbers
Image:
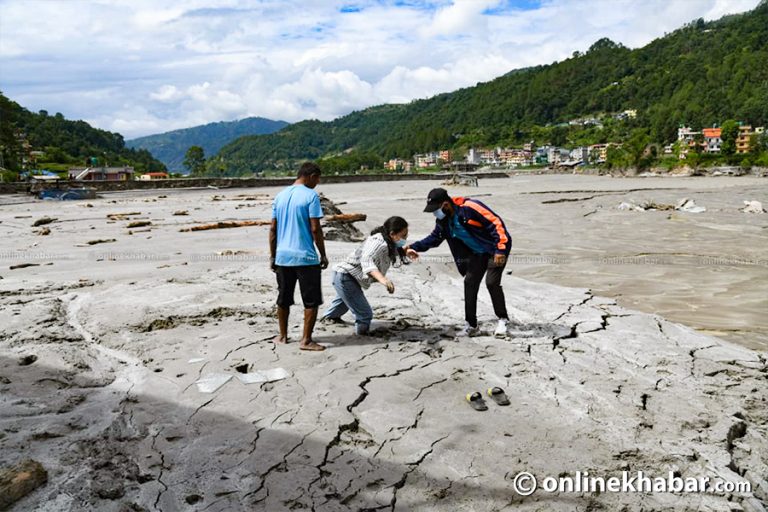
[{"x": 701, "y": 74}]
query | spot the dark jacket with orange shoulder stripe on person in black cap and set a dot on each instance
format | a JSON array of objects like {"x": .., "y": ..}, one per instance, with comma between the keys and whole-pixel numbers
[{"x": 479, "y": 221}]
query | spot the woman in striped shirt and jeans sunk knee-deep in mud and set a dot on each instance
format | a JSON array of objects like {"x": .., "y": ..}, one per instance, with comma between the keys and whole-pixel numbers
[{"x": 368, "y": 263}]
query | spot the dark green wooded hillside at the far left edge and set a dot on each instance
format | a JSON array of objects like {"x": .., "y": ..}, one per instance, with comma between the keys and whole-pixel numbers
[{"x": 63, "y": 141}]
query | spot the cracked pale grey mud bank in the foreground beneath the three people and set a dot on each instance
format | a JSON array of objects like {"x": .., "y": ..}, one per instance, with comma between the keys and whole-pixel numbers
[{"x": 109, "y": 406}]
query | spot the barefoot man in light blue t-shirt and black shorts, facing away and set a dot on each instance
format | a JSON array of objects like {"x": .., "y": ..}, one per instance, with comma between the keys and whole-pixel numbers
[{"x": 295, "y": 231}]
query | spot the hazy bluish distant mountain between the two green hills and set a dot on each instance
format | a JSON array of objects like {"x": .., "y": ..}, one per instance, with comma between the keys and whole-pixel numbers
[{"x": 170, "y": 147}]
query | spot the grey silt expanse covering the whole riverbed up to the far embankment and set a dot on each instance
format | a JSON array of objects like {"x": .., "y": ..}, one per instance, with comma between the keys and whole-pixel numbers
[{"x": 110, "y": 407}]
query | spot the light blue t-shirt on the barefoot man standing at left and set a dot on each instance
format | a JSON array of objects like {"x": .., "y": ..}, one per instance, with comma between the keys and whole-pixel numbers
[{"x": 293, "y": 207}]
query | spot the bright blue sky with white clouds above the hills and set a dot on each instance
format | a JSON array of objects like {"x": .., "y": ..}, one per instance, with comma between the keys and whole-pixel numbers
[{"x": 140, "y": 67}]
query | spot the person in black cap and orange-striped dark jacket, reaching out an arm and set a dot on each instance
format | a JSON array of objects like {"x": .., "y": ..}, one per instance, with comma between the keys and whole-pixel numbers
[{"x": 480, "y": 245}]
